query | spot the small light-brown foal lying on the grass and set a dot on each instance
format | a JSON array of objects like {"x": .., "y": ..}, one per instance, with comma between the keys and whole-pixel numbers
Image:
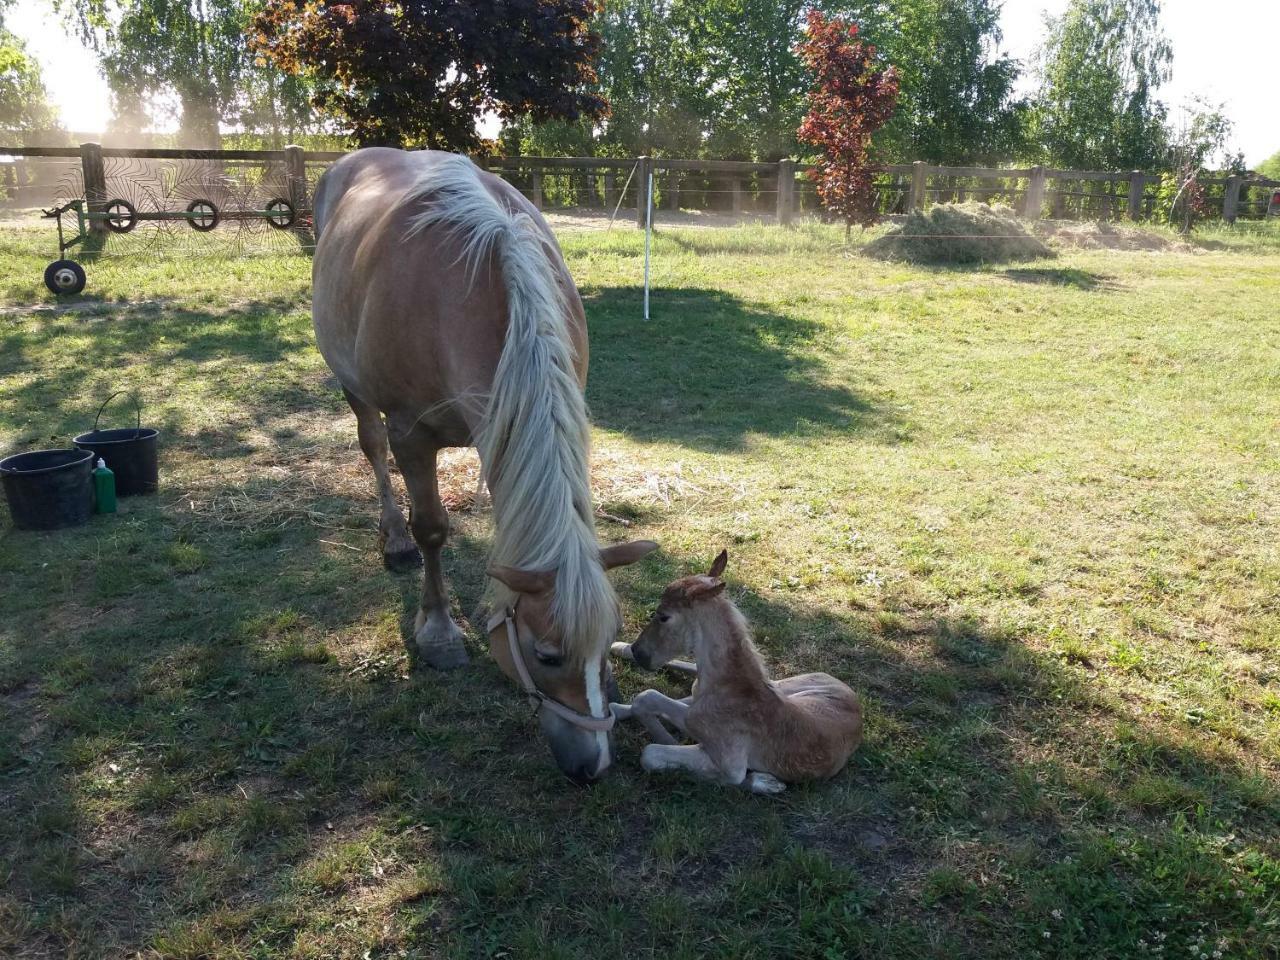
[{"x": 752, "y": 732}]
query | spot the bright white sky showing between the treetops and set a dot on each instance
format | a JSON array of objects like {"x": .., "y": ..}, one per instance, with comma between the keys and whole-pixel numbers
[{"x": 1223, "y": 51}]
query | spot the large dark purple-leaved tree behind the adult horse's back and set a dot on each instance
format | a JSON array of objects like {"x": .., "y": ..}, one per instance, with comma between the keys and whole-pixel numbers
[{"x": 424, "y": 71}]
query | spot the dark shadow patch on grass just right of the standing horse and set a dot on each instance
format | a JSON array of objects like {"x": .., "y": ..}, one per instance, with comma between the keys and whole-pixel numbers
[{"x": 711, "y": 371}]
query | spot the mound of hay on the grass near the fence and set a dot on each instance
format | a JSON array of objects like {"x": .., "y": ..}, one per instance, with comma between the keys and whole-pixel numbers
[{"x": 961, "y": 234}]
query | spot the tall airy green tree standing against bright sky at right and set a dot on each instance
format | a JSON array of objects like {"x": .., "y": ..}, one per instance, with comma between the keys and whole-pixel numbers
[{"x": 1100, "y": 70}]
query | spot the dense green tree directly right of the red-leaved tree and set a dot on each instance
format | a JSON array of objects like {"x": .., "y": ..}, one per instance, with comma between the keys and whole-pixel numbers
[{"x": 957, "y": 106}]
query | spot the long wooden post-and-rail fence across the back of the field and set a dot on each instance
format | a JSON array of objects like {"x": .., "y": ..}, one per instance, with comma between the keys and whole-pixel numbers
[{"x": 779, "y": 190}]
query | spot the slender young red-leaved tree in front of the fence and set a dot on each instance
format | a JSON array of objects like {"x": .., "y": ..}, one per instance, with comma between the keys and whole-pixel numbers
[{"x": 853, "y": 97}]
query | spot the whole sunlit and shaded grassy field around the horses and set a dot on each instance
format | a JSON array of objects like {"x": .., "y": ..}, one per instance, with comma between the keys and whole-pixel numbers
[{"x": 1031, "y": 514}]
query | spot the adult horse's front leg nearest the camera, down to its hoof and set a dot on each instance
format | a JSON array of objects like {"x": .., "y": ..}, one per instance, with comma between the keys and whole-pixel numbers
[{"x": 438, "y": 638}]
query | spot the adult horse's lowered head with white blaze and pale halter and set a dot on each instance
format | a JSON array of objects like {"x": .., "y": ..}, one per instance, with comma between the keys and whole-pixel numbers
[{"x": 572, "y": 689}]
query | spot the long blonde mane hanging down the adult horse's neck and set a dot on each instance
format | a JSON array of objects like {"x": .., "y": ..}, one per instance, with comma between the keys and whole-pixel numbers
[{"x": 536, "y": 437}]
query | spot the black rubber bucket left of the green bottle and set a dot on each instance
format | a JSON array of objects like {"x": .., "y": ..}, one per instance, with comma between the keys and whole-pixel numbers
[{"x": 49, "y": 490}]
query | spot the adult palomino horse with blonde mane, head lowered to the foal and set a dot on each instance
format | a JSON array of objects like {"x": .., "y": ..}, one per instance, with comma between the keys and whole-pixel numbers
[{"x": 442, "y": 304}]
